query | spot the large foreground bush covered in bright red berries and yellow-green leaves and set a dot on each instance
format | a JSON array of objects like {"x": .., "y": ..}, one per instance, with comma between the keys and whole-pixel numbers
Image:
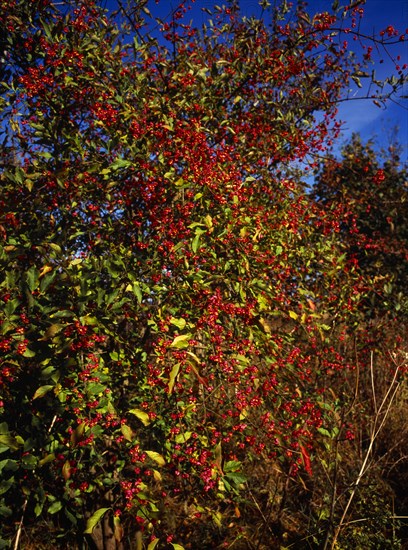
[{"x": 171, "y": 298}]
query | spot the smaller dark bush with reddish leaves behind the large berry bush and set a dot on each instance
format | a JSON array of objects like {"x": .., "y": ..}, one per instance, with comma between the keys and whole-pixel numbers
[{"x": 374, "y": 194}]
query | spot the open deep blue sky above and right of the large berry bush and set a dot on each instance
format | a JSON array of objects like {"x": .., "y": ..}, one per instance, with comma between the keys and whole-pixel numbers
[{"x": 358, "y": 116}]
